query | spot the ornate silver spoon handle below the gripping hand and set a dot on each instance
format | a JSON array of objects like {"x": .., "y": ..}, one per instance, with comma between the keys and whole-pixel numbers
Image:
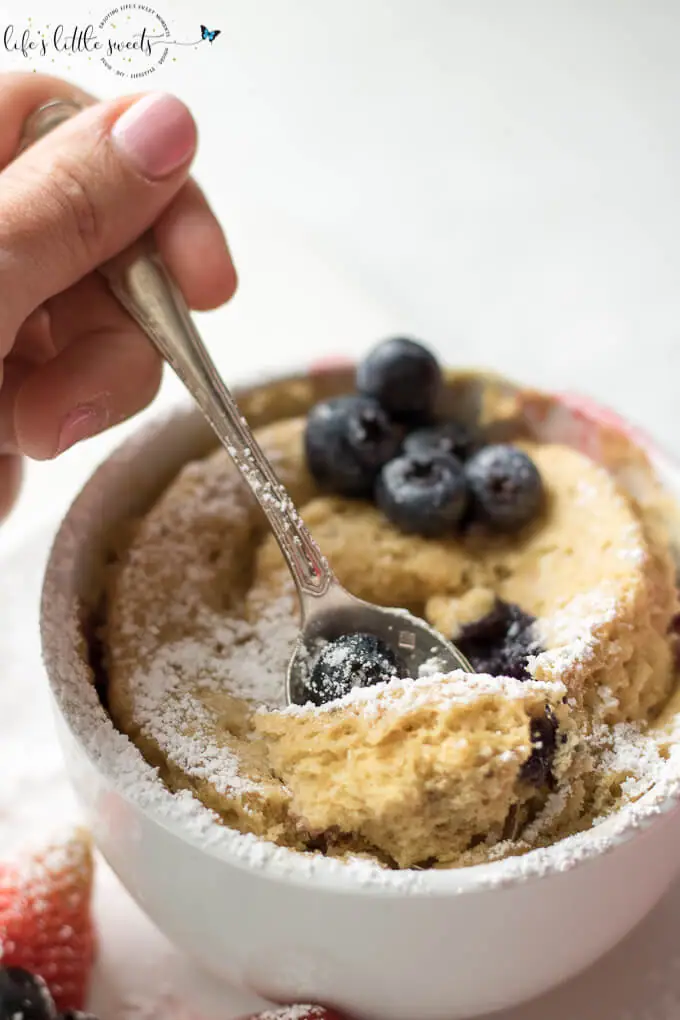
[{"x": 141, "y": 283}]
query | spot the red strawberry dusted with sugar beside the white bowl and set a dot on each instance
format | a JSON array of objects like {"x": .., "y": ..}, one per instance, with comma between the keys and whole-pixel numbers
[{"x": 45, "y": 921}]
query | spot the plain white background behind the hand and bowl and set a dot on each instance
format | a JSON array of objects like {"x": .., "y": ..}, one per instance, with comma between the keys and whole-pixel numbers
[{"x": 500, "y": 178}]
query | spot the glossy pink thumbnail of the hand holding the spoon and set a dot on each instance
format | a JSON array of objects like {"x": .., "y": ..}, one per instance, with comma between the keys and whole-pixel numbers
[{"x": 156, "y": 135}]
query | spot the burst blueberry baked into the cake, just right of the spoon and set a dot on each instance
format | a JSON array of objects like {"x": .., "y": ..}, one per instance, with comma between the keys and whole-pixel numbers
[{"x": 500, "y": 643}]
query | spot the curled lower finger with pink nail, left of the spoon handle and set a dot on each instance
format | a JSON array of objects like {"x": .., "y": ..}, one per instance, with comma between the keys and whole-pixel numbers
[{"x": 107, "y": 373}]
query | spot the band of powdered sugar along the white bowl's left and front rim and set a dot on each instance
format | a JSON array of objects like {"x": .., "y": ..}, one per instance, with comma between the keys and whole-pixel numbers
[{"x": 121, "y": 761}]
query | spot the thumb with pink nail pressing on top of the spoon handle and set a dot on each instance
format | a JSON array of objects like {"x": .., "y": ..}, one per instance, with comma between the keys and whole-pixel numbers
[{"x": 84, "y": 193}]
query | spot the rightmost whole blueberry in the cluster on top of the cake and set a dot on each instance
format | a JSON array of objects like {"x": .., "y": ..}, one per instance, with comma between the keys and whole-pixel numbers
[{"x": 506, "y": 488}]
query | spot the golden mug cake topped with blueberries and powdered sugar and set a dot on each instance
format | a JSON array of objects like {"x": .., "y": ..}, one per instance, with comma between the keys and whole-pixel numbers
[{"x": 453, "y": 495}]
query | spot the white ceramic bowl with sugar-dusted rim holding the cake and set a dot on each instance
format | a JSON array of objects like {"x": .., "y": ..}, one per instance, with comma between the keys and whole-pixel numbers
[{"x": 381, "y": 946}]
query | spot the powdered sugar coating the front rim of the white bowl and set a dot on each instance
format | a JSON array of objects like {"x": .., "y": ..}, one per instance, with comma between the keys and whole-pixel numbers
[{"x": 116, "y": 757}]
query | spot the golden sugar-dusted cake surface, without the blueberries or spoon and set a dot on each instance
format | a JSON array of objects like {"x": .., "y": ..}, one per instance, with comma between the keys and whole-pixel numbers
[{"x": 434, "y": 772}]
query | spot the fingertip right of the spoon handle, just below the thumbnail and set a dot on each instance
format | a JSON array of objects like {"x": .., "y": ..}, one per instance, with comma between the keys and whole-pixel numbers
[{"x": 195, "y": 250}]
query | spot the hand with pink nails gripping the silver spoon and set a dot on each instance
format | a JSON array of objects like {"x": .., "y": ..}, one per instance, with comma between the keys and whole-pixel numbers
[{"x": 72, "y": 362}]
